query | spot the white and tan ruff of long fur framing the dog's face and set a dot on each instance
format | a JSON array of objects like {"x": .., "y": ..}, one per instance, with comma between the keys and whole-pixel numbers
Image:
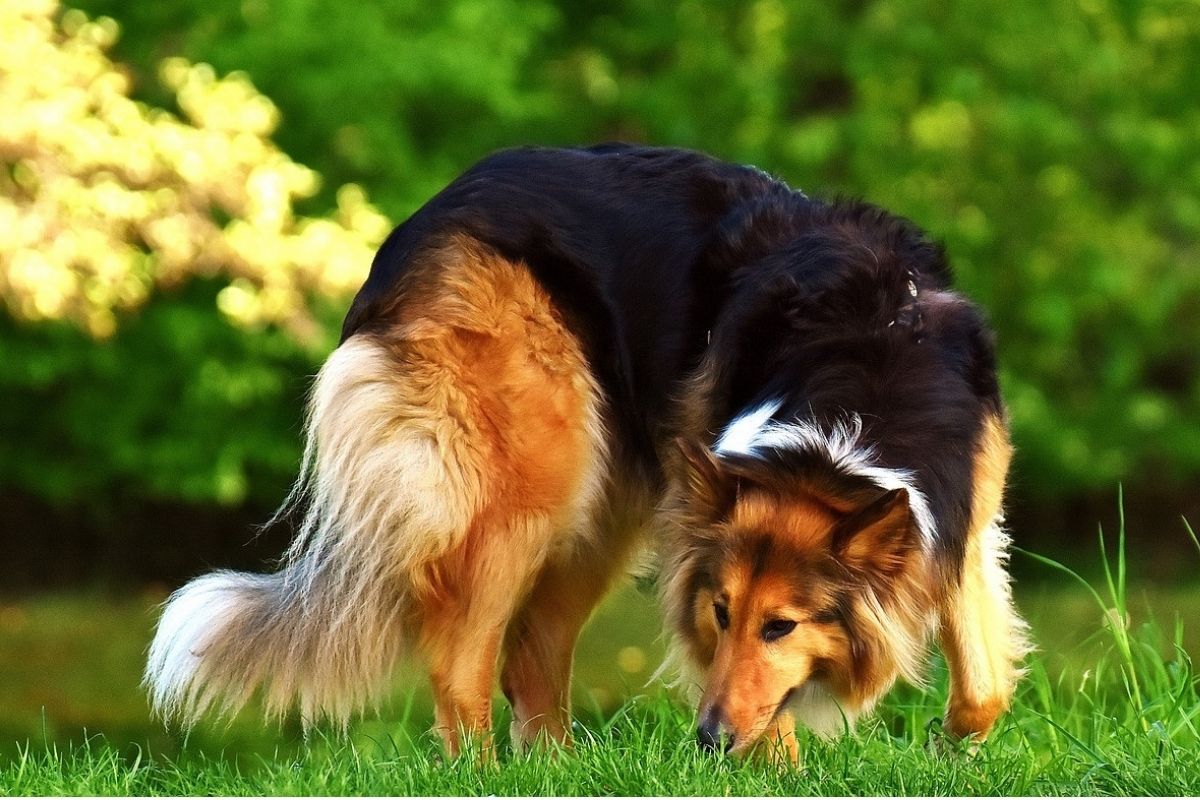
[{"x": 892, "y": 623}]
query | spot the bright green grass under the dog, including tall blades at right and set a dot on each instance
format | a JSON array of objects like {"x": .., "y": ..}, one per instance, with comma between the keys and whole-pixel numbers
[{"x": 1112, "y": 708}]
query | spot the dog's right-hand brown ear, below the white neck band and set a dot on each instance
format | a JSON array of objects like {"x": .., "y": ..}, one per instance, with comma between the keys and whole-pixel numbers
[{"x": 877, "y": 540}]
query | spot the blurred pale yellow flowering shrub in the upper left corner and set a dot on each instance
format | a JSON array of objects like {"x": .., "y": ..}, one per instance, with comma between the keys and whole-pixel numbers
[{"x": 105, "y": 200}]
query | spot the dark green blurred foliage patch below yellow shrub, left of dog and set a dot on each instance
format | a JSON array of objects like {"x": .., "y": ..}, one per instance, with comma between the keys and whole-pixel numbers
[{"x": 179, "y": 405}]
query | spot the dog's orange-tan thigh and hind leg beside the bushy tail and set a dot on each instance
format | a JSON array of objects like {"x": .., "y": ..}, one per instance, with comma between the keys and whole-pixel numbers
[{"x": 507, "y": 375}]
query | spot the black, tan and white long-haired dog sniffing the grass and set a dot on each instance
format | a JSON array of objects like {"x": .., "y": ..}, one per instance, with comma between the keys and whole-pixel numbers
[{"x": 572, "y": 353}]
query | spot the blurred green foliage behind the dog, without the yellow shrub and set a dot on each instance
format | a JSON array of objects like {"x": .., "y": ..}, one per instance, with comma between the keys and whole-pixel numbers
[{"x": 1053, "y": 145}]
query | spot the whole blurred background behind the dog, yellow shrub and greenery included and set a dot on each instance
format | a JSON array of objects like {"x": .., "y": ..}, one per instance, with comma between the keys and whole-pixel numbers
[{"x": 191, "y": 191}]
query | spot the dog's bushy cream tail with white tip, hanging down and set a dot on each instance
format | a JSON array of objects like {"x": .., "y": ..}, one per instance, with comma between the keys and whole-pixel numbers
[{"x": 381, "y": 500}]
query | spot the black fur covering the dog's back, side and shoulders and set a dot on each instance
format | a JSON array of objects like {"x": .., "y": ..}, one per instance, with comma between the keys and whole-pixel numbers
[{"x": 657, "y": 256}]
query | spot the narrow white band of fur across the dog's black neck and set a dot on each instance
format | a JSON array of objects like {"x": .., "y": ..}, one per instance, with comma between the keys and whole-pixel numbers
[{"x": 754, "y": 431}]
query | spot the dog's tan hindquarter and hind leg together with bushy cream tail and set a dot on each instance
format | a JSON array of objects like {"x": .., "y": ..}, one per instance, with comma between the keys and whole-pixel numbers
[{"x": 453, "y": 450}]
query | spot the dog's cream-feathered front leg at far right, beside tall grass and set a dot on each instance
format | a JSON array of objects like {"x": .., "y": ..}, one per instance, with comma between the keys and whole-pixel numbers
[{"x": 982, "y": 635}]
